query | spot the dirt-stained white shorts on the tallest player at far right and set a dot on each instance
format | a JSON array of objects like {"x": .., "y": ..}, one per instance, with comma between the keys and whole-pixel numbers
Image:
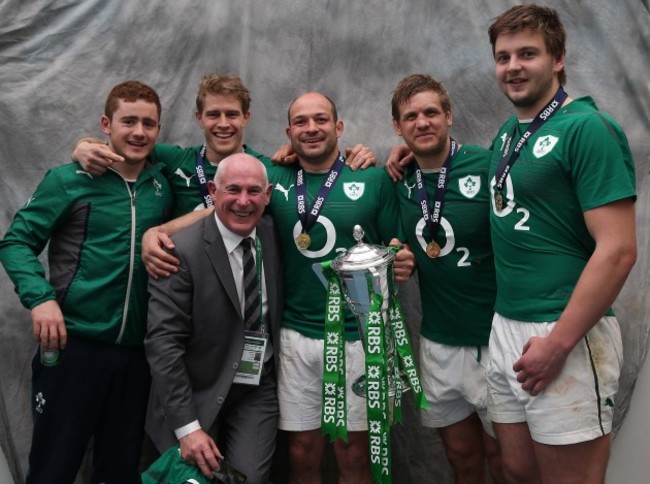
[{"x": 579, "y": 405}]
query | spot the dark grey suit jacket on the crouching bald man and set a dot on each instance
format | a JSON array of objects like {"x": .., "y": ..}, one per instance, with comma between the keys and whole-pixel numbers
[{"x": 195, "y": 330}]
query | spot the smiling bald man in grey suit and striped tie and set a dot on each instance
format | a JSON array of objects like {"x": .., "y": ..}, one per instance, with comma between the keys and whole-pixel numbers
[{"x": 211, "y": 333}]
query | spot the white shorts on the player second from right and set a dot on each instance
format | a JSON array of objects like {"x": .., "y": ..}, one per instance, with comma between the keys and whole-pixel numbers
[{"x": 454, "y": 382}]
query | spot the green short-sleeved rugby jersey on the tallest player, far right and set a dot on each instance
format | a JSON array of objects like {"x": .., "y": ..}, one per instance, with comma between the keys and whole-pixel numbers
[{"x": 578, "y": 160}]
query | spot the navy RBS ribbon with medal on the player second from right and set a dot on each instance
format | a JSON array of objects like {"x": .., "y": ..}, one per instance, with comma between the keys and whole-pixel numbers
[{"x": 433, "y": 216}]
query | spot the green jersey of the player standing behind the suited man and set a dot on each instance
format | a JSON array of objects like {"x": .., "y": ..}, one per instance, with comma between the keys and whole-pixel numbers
[{"x": 180, "y": 170}]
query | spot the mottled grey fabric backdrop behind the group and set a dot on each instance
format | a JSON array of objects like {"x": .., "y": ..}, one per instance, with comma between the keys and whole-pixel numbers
[{"x": 59, "y": 59}]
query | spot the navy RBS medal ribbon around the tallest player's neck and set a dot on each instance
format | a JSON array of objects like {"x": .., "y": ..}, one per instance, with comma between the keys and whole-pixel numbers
[{"x": 506, "y": 163}]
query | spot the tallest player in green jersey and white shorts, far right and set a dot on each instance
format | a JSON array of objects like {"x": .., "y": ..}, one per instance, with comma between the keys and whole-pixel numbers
[{"x": 563, "y": 232}]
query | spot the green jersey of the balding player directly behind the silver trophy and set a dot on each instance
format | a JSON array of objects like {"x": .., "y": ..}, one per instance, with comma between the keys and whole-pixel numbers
[{"x": 364, "y": 197}]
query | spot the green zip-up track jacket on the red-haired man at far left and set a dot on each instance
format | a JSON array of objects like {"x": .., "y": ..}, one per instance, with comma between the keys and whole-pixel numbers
[{"x": 94, "y": 225}]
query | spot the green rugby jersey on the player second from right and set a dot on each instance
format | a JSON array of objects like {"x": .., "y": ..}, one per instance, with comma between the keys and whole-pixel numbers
[{"x": 457, "y": 288}]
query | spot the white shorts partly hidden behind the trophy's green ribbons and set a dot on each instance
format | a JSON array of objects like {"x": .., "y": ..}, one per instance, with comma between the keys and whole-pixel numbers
[{"x": 300, "y": 382}]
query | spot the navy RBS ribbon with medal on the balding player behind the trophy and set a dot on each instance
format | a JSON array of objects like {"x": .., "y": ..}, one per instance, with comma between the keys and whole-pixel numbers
[{"x": 309, "y": 217}]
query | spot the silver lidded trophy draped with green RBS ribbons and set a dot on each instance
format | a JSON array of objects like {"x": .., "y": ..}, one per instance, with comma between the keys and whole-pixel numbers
[{"x": 362, "y": 269}]
